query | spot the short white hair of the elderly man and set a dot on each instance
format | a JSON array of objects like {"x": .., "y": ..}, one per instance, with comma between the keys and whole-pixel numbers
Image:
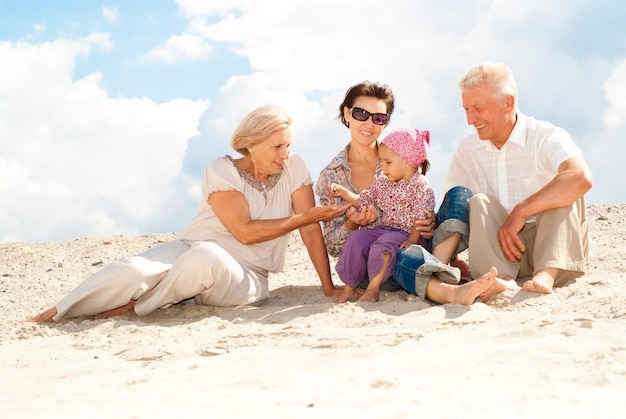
[{"x": 497, "y": 77}]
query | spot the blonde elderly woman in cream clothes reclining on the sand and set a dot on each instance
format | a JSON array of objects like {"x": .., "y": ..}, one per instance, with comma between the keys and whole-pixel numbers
[{"x": 240, "y": 233}]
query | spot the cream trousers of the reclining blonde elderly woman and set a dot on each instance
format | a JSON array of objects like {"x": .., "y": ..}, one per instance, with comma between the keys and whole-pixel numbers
[{"x": 164, "y": 275}]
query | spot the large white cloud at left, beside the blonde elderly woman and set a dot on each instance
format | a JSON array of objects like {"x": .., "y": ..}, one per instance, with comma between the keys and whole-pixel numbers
[{"x": 78, "y": 160}]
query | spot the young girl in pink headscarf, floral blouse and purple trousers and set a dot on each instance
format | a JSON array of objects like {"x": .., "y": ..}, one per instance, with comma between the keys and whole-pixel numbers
[{"x": 403, "y": 195}]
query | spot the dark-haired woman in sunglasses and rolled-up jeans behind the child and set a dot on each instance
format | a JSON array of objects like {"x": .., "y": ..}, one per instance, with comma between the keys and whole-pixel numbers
[{"x": 366, "y": 111}]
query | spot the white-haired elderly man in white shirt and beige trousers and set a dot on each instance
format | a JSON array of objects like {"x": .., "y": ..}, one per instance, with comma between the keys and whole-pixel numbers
[{"x": 527, "y": 215}]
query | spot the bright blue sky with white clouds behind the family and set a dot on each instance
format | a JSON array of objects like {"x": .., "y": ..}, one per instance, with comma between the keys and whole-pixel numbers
[{"x": 109, "y": 111}]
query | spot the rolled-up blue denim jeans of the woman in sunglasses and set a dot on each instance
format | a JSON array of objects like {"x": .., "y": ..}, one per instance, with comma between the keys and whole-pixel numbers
[{"x": 415, "y": 265}]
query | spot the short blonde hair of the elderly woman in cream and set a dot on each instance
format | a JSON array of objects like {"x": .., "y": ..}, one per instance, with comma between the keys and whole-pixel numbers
[{"x": 257, "y": 126}]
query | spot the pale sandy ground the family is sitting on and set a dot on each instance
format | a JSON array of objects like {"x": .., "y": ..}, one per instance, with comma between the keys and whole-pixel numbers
[{"x": 302, "y": 355}]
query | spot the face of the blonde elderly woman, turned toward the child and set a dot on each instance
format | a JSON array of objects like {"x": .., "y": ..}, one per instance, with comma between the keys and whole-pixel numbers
[{"x": 268, "y": 156}]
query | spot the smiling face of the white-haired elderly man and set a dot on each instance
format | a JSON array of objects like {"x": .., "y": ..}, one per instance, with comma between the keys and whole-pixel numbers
[{"x": 493, "y": 119}]
